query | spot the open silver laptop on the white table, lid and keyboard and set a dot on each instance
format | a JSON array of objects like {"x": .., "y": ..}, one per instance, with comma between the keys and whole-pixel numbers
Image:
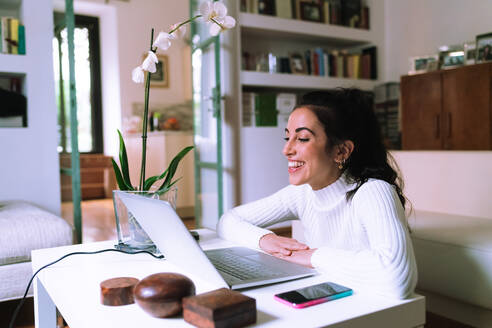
[{"x": 235, "y": 267}]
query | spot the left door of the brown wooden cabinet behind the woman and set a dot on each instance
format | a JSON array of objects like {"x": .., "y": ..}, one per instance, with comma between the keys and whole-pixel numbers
[{"x": 421, "y": 112}]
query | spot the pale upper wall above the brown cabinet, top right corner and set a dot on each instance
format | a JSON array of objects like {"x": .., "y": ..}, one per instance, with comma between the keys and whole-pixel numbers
[{"x": 420, "y": 27}]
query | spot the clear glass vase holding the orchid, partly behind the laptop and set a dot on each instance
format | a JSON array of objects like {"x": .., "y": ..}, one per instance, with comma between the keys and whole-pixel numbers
[{"x": 131, "y": 236}]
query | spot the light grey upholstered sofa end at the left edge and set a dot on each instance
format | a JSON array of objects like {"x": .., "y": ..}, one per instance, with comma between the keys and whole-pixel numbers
[{"x": 25, "y": 227}]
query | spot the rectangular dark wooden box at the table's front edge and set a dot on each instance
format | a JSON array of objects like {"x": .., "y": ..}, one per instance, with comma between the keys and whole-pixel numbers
[{"x": 219, "y": 308}]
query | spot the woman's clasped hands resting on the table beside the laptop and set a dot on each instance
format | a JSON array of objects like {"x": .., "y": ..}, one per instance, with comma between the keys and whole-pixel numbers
[{"x": 287, "y": 249}]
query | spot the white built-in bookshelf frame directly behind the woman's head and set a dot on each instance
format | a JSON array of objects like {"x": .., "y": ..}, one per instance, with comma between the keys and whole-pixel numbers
[{"x": 254, "y": 164}]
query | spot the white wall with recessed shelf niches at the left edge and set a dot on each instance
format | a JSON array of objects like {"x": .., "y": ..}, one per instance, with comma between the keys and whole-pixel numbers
[{"x": 29, "y": 168}]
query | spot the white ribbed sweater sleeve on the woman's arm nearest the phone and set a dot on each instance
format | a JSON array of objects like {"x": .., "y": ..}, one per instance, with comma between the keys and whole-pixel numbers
[{"x": 388, "y": 266}]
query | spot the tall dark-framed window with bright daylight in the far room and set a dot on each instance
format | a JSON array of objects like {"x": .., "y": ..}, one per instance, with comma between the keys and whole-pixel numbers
[{"x": 87, "y": 80}]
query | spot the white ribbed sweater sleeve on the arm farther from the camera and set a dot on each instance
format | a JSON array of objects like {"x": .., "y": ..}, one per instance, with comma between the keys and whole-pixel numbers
[{"x": 246, "y": 224}]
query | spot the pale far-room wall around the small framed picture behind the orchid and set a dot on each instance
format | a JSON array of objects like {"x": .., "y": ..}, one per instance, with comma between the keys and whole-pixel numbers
[{"x": 125, "y": 36}]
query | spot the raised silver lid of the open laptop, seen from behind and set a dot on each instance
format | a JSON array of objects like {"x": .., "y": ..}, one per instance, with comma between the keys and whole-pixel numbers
[{"x": 168, "y": 232}]
